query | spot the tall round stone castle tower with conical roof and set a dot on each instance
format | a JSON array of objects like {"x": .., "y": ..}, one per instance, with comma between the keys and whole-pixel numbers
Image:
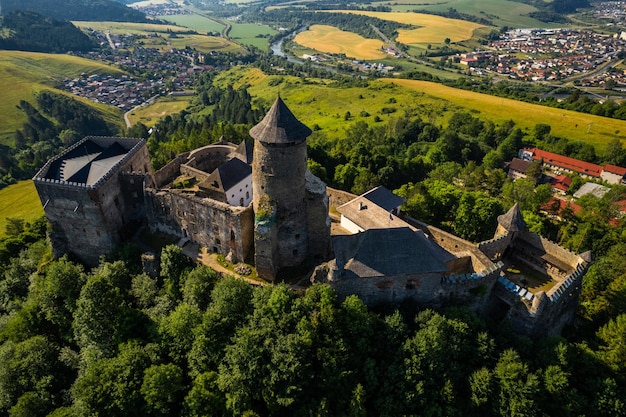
[{"x": 279, "y": 169}]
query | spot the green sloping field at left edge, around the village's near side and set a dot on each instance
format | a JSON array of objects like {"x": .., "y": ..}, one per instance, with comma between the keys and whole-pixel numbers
[{"x": 23, "y": 74}]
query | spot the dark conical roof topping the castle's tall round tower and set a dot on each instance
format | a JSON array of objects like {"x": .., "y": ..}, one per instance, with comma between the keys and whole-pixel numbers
[{"x": 280, "y": 126}]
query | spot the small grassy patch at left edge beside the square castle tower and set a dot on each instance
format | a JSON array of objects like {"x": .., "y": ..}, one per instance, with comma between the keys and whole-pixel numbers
[{"x": 19, "y": 201}]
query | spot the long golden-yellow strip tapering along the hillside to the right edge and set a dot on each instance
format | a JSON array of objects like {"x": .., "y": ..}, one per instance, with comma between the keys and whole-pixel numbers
[{"x": 595, "y": 130}]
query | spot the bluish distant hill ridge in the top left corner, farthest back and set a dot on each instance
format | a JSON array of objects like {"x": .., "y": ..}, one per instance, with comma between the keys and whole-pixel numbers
[{"x": 90, "y": 10}]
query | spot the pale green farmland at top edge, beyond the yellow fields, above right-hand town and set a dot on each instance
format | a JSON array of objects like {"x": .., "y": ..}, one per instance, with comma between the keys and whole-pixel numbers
[{"x": 500, "y": 12}]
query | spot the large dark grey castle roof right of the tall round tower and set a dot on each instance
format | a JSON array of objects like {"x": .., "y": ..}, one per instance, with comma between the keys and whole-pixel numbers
[{"x": 387, "y": 252}]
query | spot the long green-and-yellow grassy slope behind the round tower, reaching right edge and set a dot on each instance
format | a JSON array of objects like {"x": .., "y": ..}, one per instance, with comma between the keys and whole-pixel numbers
[{"x": 316, "y": 103}]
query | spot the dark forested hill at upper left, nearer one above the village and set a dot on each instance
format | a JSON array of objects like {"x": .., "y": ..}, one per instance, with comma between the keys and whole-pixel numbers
[{"x": 28, "y": 31}]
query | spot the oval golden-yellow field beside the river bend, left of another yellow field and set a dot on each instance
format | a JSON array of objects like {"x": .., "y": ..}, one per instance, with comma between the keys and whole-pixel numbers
[{"x": 331, "y": 40}]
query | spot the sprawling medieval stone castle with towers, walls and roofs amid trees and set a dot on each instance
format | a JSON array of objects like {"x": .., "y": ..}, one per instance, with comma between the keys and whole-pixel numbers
[{"x": 260, "y": 203}]
